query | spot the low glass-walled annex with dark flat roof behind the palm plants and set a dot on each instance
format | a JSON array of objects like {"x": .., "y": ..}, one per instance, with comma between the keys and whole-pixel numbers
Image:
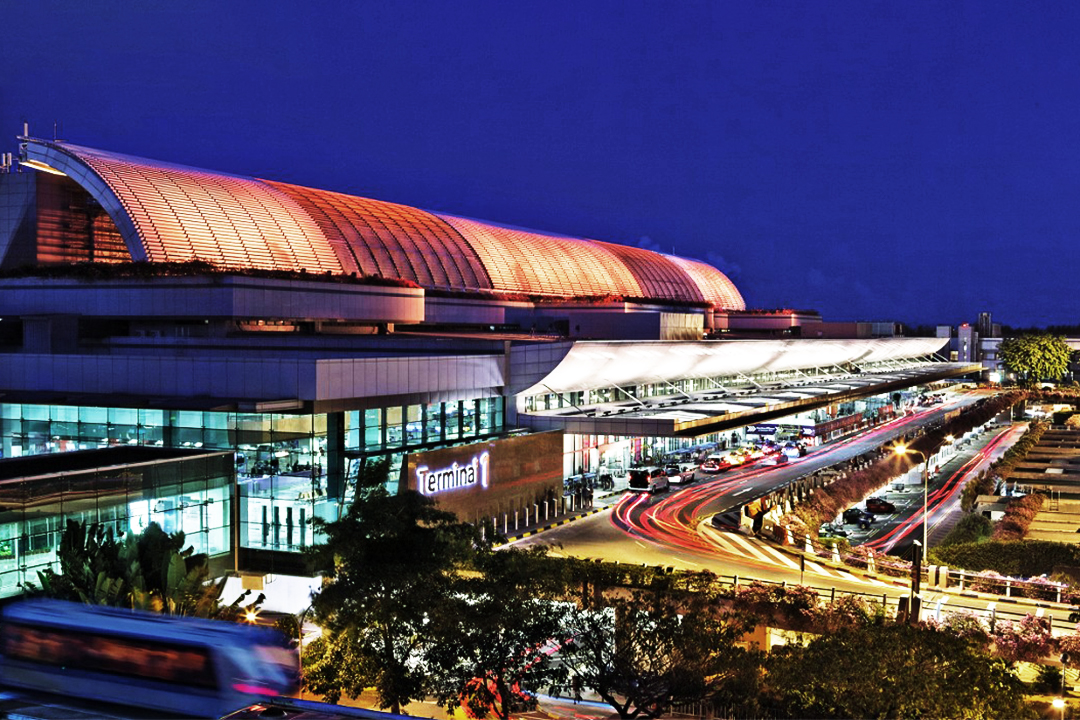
[{"x": 188, "y": 495}]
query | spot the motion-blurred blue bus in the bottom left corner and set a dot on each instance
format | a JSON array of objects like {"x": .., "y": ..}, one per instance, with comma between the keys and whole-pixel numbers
[{"x": 182, "y": 667}]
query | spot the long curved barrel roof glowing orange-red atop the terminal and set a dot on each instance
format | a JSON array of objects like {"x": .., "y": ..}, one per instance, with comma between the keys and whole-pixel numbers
[{"x": 174, "y": 213}]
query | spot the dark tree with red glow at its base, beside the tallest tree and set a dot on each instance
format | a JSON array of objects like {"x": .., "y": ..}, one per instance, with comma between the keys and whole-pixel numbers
[{"x": 502, "y": 630}]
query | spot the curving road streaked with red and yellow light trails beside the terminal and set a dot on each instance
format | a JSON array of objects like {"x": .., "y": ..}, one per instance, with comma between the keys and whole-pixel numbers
[{"x": 672, "y": 531}]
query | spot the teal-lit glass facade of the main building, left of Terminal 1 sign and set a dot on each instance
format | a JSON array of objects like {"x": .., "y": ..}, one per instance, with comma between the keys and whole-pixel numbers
[{"x": 285, "y": 468}]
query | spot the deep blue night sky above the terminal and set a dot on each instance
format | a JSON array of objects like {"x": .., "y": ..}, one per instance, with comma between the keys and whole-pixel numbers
[{"x": 902, "y": 161}]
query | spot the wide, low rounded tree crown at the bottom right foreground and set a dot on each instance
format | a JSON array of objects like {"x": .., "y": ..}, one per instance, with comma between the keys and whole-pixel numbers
[{"x": 892, "y": 672}]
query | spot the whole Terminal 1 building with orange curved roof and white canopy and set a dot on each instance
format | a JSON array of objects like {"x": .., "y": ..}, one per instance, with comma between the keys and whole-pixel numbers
[{"x": 304, "y": 333}]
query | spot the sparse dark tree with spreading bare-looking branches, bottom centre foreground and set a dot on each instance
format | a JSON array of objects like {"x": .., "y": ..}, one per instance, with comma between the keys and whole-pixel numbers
[{"x": 646, "y": 650}]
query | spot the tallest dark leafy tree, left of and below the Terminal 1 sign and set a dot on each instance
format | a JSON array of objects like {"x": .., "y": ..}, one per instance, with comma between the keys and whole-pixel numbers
[{"x": 387, "y": 564}]
